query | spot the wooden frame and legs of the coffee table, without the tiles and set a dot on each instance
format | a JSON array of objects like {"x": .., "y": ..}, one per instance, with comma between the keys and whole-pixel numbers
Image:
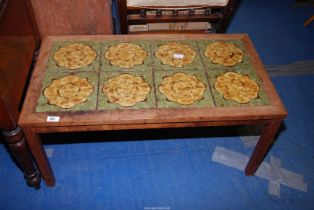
[{"x": 34, "y": 123}]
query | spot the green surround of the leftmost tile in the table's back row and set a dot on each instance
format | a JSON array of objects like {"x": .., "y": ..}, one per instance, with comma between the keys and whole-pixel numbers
[{"x": 94, "y": 66}]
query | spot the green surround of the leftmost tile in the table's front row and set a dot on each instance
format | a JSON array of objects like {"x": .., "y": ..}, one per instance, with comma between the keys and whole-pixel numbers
[{"x": 89, "y": 105}]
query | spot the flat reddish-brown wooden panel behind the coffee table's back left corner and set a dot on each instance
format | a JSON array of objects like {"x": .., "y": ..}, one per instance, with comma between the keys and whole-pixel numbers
[{"x": 73, "y": 17}]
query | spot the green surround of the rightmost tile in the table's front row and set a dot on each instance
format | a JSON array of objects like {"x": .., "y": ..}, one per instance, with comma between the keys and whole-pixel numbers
[{"x": 221, "y": 102}]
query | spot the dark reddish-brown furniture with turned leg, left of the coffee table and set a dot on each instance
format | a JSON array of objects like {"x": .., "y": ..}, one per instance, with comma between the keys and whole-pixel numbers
[{"x": 19, "y": 39}]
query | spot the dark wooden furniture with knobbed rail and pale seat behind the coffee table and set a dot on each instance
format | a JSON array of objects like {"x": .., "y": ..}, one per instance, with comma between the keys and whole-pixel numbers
[{"x": 208, "y": 16}]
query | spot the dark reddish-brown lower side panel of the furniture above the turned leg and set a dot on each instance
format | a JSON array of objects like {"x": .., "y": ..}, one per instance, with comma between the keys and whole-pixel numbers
[{"x": 15, "y": 63}]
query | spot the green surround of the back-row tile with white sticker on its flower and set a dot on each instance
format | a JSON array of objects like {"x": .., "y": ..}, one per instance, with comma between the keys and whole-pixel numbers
[{"x": 196, "y": 65}]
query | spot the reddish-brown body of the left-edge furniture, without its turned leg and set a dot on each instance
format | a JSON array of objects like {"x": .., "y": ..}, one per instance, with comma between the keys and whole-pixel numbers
[{"x": 18, "y": 42}]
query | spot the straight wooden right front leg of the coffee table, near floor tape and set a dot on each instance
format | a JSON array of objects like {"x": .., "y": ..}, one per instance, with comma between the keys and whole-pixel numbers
[{"x": 262, "y": 146}]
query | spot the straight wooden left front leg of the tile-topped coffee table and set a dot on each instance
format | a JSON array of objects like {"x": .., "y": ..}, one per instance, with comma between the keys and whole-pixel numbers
[{"x": 40, "y": 156}]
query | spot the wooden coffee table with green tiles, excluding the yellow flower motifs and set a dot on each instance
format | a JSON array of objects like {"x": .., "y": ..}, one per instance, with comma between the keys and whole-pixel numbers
[{"x": 39, "y": 117}]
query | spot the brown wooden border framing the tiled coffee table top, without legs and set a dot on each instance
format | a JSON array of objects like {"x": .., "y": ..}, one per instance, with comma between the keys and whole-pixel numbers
[{"x": 141, "y": 117}]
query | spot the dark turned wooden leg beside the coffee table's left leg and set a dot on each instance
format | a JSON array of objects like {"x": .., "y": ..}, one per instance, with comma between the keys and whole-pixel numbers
[{"x": 20, "y": 151}]
